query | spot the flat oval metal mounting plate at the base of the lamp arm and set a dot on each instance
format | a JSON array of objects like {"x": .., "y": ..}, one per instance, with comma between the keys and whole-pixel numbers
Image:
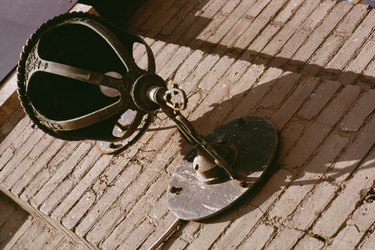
[{"x": 256, "y": 140}]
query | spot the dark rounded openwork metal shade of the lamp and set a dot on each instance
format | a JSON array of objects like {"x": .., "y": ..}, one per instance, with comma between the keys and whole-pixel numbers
[{"x": 75, "y": 75}]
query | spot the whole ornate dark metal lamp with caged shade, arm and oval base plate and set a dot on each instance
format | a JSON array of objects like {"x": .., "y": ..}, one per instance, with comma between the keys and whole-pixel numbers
[{"x": 77, "y": 80}]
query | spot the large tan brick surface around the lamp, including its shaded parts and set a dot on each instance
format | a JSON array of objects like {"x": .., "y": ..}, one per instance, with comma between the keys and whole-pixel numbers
[{"x": 306, "y": 65}]
